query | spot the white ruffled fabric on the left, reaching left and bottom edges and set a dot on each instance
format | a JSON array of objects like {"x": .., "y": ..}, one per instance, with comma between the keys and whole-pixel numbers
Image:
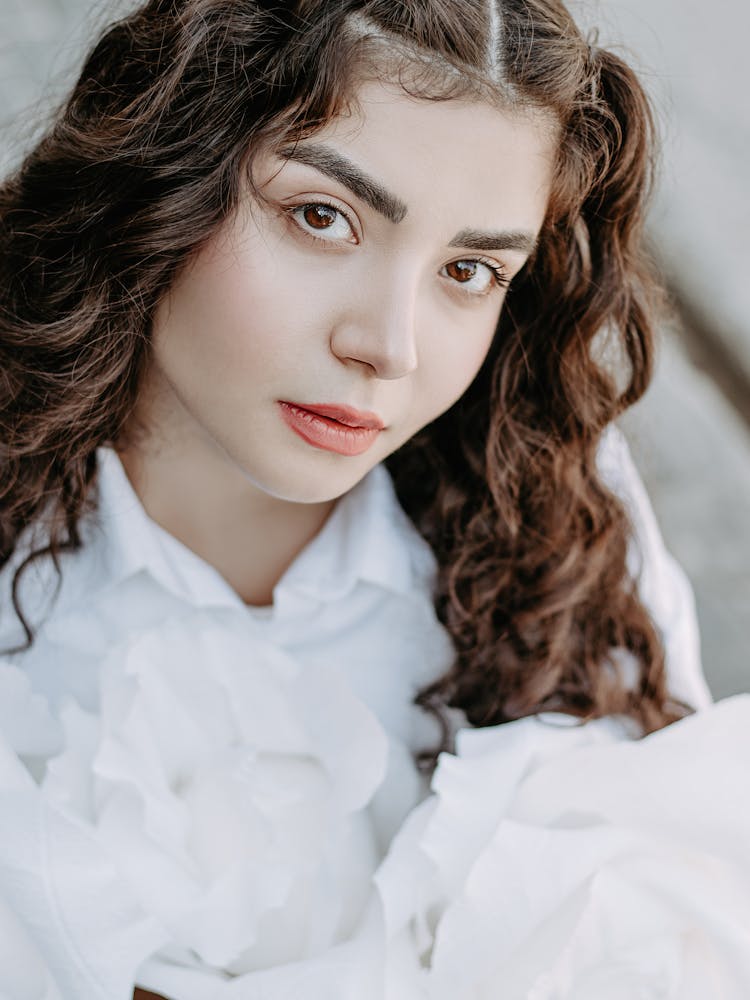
[{"x": 213, "y": 827}]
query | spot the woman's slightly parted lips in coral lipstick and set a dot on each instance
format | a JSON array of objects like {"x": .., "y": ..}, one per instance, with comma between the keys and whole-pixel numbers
[{"x": 331, "y": 427}]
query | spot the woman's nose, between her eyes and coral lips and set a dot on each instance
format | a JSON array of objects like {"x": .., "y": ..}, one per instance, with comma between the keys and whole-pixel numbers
[{"x": 377, "y": 327}]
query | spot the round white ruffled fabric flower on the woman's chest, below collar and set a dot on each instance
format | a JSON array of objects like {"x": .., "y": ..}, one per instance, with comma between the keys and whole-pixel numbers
[{"x": 230, "y": 789}]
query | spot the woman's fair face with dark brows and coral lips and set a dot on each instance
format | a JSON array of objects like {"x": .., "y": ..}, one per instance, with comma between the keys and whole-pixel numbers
[{"x": 330, "y": 321}]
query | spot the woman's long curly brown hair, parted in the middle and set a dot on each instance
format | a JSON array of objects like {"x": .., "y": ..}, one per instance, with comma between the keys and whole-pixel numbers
[{"x": 146, "y": 161}]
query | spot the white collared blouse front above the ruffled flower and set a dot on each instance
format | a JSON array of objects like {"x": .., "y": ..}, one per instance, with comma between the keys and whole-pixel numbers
[{"x": 357, "y": 596}]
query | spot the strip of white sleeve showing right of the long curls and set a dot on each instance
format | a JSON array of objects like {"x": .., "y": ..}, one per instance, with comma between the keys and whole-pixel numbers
[{"x": 662, "y": 584}]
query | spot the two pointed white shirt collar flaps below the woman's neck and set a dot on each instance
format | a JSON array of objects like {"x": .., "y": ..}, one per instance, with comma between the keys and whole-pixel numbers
[{"x": 367, "y": 538}]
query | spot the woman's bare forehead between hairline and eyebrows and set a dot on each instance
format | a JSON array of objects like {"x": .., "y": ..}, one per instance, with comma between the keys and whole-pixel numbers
[{"x": 457, "y": 158}]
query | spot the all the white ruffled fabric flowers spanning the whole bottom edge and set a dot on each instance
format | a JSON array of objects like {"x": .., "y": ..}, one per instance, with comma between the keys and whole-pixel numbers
[{"x": 229, "y": 826}]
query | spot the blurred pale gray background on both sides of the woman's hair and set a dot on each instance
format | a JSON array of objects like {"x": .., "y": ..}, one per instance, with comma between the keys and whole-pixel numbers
[{"x": 691, "y": 435}]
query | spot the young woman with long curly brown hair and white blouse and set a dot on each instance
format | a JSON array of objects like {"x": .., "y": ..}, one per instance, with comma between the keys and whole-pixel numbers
[{"x": 264, "y": 252}]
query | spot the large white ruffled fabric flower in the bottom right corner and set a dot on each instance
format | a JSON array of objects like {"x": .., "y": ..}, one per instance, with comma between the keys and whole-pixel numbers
[{"x": 557, "y": 861}]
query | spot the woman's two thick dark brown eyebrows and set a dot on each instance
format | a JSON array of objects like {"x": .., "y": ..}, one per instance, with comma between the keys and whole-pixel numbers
[{"x": 333, "y": 164}]
